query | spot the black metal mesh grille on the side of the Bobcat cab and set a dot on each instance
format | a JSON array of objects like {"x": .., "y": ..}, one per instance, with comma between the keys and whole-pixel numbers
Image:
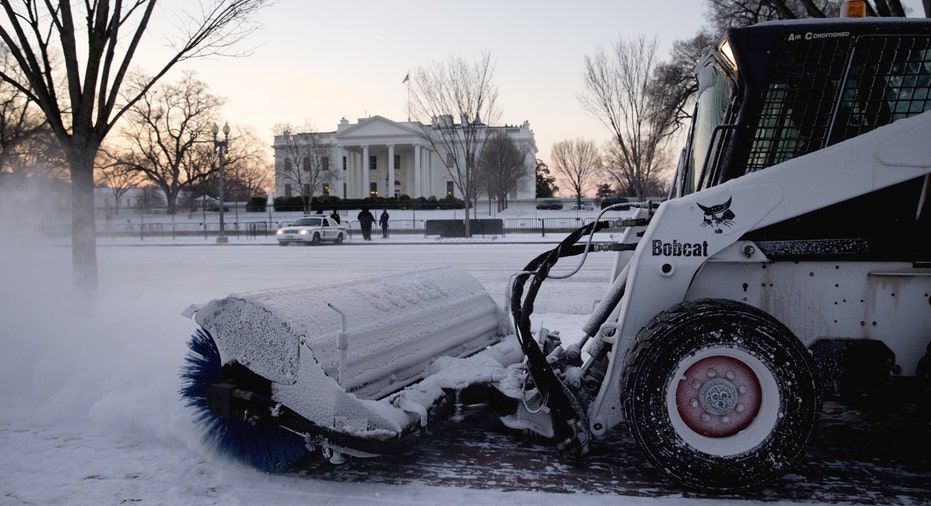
[{"x": 805, "y": 107}]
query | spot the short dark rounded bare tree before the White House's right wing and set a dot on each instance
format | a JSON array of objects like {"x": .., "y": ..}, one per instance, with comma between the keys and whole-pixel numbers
[{"x": 502, "y": 168}]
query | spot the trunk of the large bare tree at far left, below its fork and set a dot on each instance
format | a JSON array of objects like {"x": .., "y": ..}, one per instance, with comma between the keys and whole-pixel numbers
[{"x": 83, "y": 229}]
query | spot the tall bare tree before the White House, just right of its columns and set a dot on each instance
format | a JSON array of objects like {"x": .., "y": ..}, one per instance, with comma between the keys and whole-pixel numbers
[{"x": 450, "y": 90}]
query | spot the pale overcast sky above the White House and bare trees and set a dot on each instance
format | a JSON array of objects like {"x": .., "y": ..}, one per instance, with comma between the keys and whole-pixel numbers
[{"x": 314, "y": 62}]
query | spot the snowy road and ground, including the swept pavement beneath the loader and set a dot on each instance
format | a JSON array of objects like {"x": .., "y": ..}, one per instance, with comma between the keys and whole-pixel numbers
[{"x": 92, "y": 414}]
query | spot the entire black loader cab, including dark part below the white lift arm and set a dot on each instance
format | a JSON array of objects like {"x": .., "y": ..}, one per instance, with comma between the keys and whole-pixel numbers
[{"x": 780, "y": 90}]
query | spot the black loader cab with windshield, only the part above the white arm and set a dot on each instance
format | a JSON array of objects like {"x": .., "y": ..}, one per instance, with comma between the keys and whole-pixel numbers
[{"x": 778, "y": 90}]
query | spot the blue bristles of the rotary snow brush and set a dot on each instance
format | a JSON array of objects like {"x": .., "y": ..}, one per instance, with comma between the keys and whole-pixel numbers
[{"x": 267, "y": 447}]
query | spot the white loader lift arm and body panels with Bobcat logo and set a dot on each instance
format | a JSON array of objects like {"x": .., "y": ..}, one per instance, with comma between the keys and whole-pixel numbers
[{"x": 680, "y": 257}]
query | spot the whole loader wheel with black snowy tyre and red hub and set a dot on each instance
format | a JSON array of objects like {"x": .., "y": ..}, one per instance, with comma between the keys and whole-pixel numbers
[{"x": 720, "y": 395}]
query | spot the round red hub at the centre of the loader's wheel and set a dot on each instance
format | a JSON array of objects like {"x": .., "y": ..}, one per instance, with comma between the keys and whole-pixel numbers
[{"x": 718, "y": 396}]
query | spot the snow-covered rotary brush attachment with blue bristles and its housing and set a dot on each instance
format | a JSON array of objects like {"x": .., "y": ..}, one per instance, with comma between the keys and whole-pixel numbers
[{"x": 349, "y": 368}]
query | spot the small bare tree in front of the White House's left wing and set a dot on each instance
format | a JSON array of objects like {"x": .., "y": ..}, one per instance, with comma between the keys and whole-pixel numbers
[{"x": 304, "y": 157}]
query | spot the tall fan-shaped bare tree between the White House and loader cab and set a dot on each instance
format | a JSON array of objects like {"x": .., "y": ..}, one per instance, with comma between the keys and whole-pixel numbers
[{"x": 618, "y": 93}]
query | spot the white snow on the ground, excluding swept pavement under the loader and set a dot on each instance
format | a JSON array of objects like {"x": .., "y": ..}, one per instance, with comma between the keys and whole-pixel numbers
[{"x": 91, "y": 413}]
